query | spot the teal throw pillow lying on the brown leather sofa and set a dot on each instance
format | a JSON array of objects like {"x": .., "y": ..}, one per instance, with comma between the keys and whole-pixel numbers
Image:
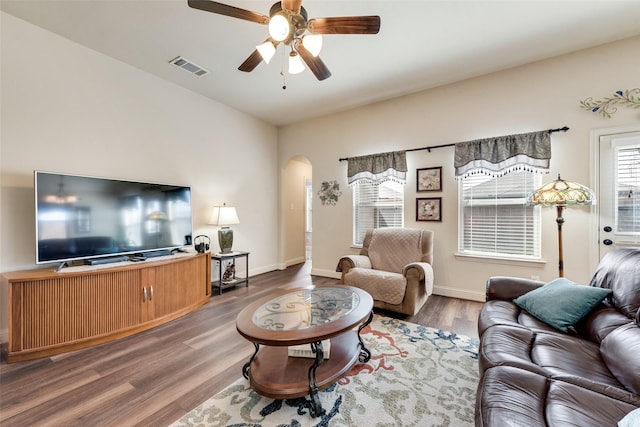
[{"x": 561, "y": 303}]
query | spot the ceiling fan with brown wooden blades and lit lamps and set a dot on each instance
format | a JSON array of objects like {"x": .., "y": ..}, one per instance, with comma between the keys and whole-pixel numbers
[{"x": 288, "y": 23}]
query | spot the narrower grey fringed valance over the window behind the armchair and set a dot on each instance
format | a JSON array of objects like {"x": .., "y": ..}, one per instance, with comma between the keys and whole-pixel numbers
[{"x": 377, "y": 168}]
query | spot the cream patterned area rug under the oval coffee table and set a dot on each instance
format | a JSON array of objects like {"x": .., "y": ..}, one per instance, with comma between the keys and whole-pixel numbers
[{"x": 417, "y": 376}]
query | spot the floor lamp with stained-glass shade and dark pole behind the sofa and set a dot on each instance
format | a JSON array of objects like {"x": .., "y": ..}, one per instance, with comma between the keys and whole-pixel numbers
[{"x": 561, "y": 193}]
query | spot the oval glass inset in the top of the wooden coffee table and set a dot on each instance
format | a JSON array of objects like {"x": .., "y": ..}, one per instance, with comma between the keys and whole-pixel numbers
[{"x": 306, "y": 308}]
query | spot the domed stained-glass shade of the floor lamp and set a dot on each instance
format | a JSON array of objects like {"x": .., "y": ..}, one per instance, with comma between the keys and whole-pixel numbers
[{"x": 562, "y": 193}]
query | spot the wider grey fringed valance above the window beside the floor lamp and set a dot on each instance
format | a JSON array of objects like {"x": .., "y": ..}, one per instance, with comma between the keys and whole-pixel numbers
[{"x": 498, "y": 156}]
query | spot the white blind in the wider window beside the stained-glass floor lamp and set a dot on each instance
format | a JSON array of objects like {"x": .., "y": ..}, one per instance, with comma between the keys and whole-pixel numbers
[{"x": 494, "y": 219}]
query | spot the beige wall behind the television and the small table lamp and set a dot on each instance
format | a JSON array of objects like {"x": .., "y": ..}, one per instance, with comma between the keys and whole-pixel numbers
[{"x": 69, "y": 109}]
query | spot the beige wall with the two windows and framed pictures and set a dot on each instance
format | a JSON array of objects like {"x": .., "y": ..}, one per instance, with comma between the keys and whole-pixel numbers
[{"x": 539, "y": 96}]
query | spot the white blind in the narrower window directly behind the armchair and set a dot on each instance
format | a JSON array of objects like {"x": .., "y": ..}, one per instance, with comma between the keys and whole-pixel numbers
[{"x": 376, "y": 206}]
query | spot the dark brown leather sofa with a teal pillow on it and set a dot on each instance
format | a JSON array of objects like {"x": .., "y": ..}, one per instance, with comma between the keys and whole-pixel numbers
[{"x": 532, "y": 374}]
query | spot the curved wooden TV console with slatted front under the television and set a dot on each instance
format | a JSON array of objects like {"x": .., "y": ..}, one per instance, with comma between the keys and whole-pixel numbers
[{"x": 51, "y": 313}]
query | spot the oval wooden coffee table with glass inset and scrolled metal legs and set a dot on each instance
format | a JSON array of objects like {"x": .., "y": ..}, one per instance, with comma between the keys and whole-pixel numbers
[{"x": 304, "y": 316}]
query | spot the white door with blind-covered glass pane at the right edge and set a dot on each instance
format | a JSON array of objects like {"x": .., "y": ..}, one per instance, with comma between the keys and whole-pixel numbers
[{"x": 618, "y": 191}]
